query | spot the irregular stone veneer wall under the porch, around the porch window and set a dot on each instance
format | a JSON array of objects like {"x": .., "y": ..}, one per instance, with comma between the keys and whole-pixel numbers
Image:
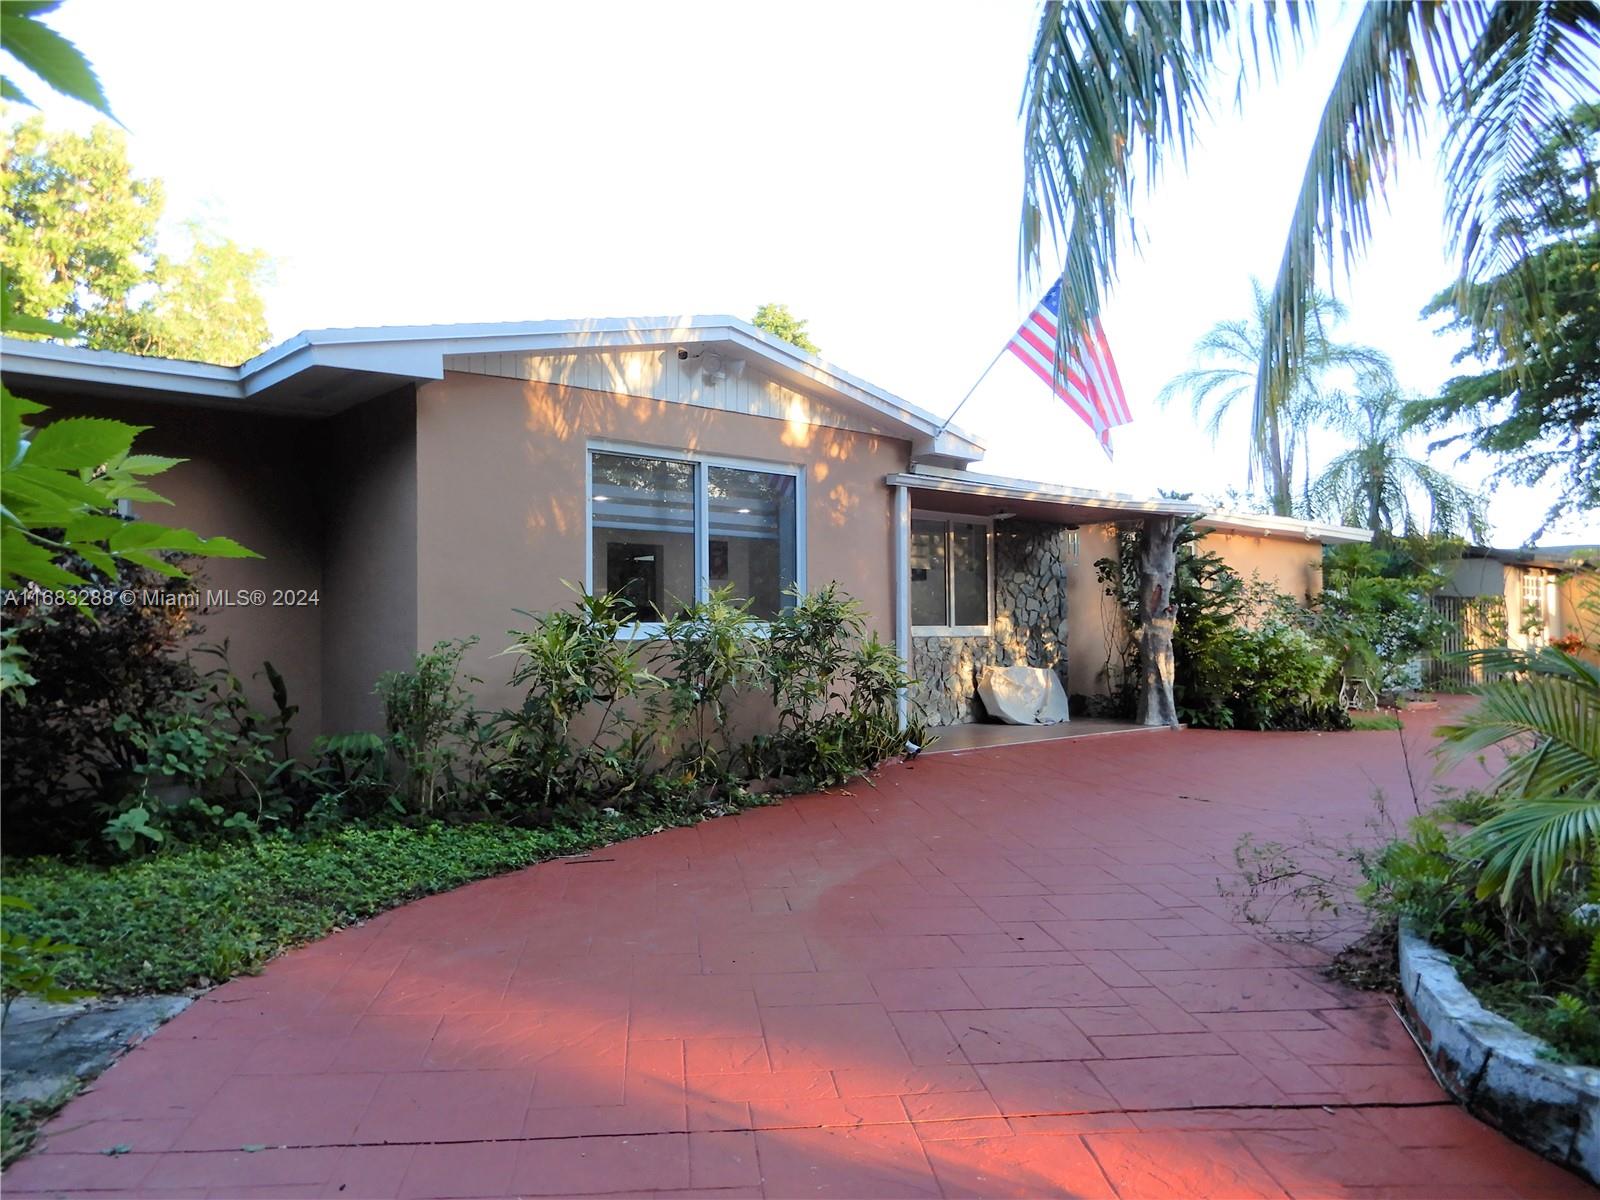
[{"x": 1030, "y": 628}]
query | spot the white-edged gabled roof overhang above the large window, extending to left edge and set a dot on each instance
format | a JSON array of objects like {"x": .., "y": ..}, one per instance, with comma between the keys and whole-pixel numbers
[{"x": 322, "y": 372}]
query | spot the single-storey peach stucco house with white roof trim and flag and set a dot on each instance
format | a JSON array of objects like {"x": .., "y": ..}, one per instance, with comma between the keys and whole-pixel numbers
[{"x": 407, "y": 486}]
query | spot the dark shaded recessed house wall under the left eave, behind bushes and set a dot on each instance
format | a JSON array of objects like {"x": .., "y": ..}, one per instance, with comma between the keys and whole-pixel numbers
[{"x": 255, "y": 481}]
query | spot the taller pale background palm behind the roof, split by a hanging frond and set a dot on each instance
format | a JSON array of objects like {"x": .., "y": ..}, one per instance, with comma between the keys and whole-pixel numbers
[{"x": 1233, "y": 350}]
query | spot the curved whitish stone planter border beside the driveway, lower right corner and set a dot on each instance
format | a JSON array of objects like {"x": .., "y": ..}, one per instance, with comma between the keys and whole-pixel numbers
[{"x": 1495, "y": 1070}]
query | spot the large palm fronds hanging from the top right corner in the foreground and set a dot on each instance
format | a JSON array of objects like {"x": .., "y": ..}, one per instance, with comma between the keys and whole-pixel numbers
[{"x": 1116, "y": 87}]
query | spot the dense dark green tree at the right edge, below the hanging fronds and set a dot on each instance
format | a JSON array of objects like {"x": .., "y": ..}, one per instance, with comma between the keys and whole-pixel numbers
[{"x": 1538, "y": 404}]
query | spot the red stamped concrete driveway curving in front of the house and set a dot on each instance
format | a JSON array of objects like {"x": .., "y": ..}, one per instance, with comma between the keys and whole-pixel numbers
[{"x": 996, "y": 974}]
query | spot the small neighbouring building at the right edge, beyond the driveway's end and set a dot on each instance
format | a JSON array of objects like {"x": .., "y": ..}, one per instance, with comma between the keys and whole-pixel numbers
[{"x": 1521, "y": 599}]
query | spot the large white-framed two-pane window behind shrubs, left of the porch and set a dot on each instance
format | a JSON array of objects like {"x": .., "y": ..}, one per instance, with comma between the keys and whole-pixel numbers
[{"x": 666, "y": 532}]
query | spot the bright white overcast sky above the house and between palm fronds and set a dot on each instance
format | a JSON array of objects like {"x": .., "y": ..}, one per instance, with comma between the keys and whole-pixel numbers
[{"x": 860, "y": 162}]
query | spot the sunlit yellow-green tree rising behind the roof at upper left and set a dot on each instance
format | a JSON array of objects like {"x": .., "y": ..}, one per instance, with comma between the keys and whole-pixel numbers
[{"x": 79, "y": 244}]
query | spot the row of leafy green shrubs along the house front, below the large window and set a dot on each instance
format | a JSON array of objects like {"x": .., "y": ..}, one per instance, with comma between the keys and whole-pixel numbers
[{"x": 609, "y": 722}]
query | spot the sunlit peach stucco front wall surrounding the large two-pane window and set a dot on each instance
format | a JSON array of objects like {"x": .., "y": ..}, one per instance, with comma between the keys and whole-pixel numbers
[{"x": 502, "y": 500}]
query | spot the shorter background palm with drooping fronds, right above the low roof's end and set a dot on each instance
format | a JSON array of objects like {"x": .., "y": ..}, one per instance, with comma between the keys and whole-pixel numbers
[{"x": 1378, "y": 484}]
